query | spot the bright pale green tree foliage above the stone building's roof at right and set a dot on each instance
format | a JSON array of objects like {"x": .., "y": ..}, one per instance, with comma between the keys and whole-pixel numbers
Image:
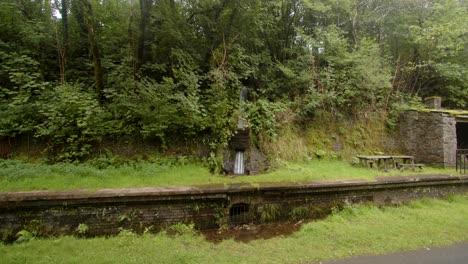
[{"x": 431, "y": 49}]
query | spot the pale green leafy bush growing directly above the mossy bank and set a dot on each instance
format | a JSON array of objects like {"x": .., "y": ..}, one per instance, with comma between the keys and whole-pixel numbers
[{"x": 354, "y": 80}]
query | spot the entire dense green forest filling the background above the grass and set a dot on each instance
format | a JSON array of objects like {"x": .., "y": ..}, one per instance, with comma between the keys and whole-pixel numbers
[{"x": 74, "y": 72}]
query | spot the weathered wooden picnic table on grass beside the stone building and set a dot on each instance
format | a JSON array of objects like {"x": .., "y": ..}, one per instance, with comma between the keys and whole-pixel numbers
[{"x": 395, "y": 161}]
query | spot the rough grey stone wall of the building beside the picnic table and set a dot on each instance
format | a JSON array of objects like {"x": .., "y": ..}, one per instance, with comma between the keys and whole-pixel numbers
[{"x": 429, "y": 136}]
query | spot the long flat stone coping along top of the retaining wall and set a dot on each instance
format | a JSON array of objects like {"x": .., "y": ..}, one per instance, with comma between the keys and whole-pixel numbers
[{"x": 217, "y": 191}]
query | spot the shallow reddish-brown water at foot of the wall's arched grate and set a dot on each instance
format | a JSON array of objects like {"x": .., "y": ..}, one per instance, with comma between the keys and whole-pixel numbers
[{"x": 249, "y": 232}]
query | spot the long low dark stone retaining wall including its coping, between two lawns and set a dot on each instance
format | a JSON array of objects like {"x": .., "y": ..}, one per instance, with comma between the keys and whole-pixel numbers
[{"x": 107, "y": 211}]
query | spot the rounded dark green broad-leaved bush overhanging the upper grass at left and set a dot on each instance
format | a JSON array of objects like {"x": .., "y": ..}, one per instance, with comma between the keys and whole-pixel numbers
[{"x": 72, "y": 120}]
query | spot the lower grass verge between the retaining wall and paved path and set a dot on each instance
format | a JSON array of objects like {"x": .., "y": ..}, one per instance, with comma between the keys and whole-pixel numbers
[{"x": 353, "y": 231}]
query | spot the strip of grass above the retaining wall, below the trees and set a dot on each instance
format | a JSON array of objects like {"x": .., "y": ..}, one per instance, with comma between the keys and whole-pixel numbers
[{"x": 18, "y": 175}]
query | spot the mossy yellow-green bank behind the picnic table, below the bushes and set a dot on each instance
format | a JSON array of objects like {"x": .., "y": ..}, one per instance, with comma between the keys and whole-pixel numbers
[{"x": 330, "y": 136}]
